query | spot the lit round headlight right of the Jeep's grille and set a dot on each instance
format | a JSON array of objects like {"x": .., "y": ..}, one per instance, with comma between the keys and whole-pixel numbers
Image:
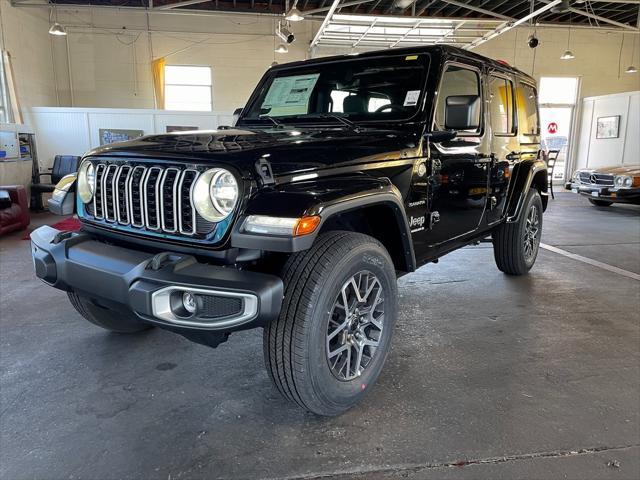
[{"x": 215, "y": 194}]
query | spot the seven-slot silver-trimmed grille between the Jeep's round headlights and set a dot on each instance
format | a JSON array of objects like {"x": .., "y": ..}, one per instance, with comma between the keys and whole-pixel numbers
[{"x": 147, "y": 197}]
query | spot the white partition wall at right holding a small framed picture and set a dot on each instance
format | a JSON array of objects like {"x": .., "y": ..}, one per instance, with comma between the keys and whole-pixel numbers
[{"x": 597, "y": 152}]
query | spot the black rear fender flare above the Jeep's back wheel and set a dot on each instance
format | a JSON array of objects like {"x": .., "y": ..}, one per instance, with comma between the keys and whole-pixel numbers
[{"x": 524, "y": 175}]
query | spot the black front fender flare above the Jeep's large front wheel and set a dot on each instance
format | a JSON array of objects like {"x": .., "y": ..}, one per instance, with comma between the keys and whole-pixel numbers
[{"x": 327, "y": 198}]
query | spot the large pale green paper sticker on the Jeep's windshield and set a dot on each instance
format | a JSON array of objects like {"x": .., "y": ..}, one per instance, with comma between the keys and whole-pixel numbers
[{"x": 290, "y": 95}]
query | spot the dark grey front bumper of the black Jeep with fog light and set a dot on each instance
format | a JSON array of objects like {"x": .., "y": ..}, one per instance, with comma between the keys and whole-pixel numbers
[{"x": 151, "y": 285}]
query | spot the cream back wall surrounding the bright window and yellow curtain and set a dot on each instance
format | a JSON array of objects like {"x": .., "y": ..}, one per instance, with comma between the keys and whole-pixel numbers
[{"x": 110, "y": 53}]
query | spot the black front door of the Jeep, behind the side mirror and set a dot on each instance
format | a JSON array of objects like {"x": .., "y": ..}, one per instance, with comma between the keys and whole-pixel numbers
[{"x": 459, "y": 168}]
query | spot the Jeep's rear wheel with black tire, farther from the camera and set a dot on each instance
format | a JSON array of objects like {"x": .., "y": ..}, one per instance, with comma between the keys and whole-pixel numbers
[{"x": 516, "y": 245}]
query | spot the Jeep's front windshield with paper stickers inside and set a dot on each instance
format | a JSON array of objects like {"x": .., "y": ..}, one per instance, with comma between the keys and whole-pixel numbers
[{"x": 365, "y": 89}]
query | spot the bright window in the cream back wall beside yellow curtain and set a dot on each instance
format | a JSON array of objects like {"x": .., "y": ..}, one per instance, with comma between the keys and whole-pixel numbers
[{"x": 188, "y": 87}]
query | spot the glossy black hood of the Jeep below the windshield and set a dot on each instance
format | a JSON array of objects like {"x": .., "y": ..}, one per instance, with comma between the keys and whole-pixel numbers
[{"x": 289, "y": 150}]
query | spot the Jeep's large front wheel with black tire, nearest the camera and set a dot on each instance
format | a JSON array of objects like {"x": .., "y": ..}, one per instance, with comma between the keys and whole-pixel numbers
[{"x": 327, "y": 348}]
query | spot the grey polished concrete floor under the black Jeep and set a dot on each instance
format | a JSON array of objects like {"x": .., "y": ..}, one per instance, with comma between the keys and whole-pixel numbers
[{"x": 493, "y": 377}]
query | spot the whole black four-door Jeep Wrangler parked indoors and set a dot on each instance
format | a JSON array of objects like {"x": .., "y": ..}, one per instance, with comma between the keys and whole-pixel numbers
[{"x": 340, "y": 175}]
